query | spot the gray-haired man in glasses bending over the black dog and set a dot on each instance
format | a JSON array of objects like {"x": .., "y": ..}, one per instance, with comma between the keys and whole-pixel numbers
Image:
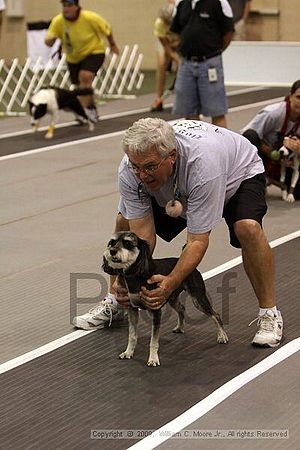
[{"x": 199, "y": 173}]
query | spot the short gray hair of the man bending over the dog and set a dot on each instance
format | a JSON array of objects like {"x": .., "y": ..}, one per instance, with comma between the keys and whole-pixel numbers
[{"x": 147, "y": 134}]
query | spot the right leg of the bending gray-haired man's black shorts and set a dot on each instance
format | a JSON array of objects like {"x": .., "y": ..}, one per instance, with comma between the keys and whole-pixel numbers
[{"x": 249, "y": 202}]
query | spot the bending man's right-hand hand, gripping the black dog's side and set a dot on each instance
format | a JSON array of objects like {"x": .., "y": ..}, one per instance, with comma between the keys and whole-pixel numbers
[{"x": 156, "y": 298}]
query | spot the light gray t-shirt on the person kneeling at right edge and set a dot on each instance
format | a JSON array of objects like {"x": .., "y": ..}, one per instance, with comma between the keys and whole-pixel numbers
[{"x": 268, "y": 123}]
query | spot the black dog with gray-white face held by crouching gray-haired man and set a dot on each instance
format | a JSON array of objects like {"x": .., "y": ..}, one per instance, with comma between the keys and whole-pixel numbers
[{"x": 129, "y": 257}]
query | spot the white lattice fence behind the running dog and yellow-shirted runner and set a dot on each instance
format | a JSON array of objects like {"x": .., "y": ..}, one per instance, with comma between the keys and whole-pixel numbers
[{"x": 118, "y": 76}]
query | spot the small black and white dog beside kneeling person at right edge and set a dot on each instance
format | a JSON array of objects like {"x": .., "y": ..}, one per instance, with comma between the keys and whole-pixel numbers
[{"x": 287, "y": 156}]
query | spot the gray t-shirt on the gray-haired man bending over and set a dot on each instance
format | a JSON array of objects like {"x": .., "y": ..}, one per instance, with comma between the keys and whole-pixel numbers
[{"x": 211, "y": 164}]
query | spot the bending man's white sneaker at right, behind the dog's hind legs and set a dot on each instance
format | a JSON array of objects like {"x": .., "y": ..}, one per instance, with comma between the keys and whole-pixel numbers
[{"x": 270, "y": 328}]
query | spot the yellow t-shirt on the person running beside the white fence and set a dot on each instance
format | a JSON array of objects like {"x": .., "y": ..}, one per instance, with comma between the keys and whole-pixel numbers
[{"x": 82, "y": 37}]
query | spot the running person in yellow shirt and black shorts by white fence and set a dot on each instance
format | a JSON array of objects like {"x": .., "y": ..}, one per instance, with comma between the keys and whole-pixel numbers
[{"x": 81, "y": 33}]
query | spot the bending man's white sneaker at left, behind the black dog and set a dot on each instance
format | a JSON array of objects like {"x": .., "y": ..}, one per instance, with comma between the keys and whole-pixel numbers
[{"x": 100, "y": 315}]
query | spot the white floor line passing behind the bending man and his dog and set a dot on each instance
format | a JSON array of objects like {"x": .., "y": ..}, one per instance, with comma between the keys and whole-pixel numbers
[{"x": 18, "y": 361}]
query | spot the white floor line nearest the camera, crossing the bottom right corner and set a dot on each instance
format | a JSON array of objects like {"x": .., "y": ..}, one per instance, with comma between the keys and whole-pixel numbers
[{"x": 218, "y": 396}]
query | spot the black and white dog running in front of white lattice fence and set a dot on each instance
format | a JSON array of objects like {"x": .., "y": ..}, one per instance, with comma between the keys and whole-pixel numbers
[{"x": 51, "y": 100}]
